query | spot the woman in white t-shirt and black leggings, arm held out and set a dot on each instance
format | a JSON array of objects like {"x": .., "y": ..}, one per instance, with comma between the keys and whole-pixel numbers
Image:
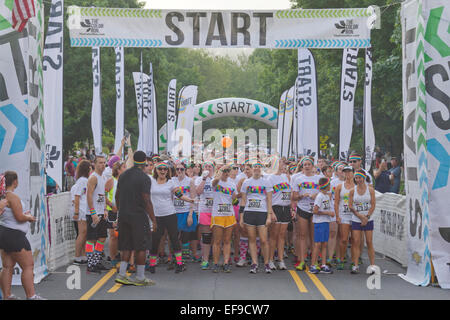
[{"x": 162, "y": 192}]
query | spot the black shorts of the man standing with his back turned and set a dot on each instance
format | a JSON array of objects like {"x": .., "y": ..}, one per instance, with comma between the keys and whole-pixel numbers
[{"x": 134, "y": 232}]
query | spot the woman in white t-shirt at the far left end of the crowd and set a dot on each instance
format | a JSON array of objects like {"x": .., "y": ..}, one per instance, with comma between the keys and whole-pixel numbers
[{"x": 80, "y": 209}]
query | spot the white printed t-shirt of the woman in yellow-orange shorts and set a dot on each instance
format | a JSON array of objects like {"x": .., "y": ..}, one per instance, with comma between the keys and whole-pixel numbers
[{"x": 222, "y": 198}]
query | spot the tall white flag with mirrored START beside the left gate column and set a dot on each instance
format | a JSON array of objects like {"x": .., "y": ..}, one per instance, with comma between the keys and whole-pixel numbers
[{"x": 53, "y": 91}]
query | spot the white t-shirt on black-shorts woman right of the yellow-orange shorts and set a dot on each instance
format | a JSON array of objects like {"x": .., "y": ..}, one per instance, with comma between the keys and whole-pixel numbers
[{"x": 256, "y": 191}]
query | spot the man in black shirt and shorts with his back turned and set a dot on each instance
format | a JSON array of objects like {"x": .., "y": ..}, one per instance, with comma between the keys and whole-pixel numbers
[{"x": 135, "y": 208}]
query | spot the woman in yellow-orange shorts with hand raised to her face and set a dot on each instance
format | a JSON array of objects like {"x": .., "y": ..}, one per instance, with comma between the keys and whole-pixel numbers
[{"x": 223, "y": 218}]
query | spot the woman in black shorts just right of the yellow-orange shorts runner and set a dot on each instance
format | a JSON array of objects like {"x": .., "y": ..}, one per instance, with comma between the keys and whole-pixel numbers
[{"x": 256, "y": 193}]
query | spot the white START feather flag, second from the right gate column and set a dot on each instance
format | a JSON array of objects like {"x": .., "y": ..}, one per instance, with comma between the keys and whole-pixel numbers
[{"x": 349, "y": 79}]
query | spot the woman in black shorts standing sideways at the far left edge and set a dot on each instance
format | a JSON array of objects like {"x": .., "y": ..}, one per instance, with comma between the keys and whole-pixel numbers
[{"x": 14, "y": 245}]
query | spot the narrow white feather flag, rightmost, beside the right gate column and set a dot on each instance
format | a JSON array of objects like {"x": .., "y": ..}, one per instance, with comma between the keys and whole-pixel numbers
[{"x": 369, "y": 134}]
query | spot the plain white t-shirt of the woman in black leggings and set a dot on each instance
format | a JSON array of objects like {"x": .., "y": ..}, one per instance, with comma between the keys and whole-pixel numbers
[{"x": 162, "y": 197}]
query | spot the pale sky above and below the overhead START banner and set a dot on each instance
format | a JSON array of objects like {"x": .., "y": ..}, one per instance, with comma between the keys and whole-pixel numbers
[{"x": 220, "y": 5}]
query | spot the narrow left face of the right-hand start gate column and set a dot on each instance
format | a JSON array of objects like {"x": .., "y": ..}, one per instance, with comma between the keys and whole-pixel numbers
[{"x": 415, "y": 158}]
